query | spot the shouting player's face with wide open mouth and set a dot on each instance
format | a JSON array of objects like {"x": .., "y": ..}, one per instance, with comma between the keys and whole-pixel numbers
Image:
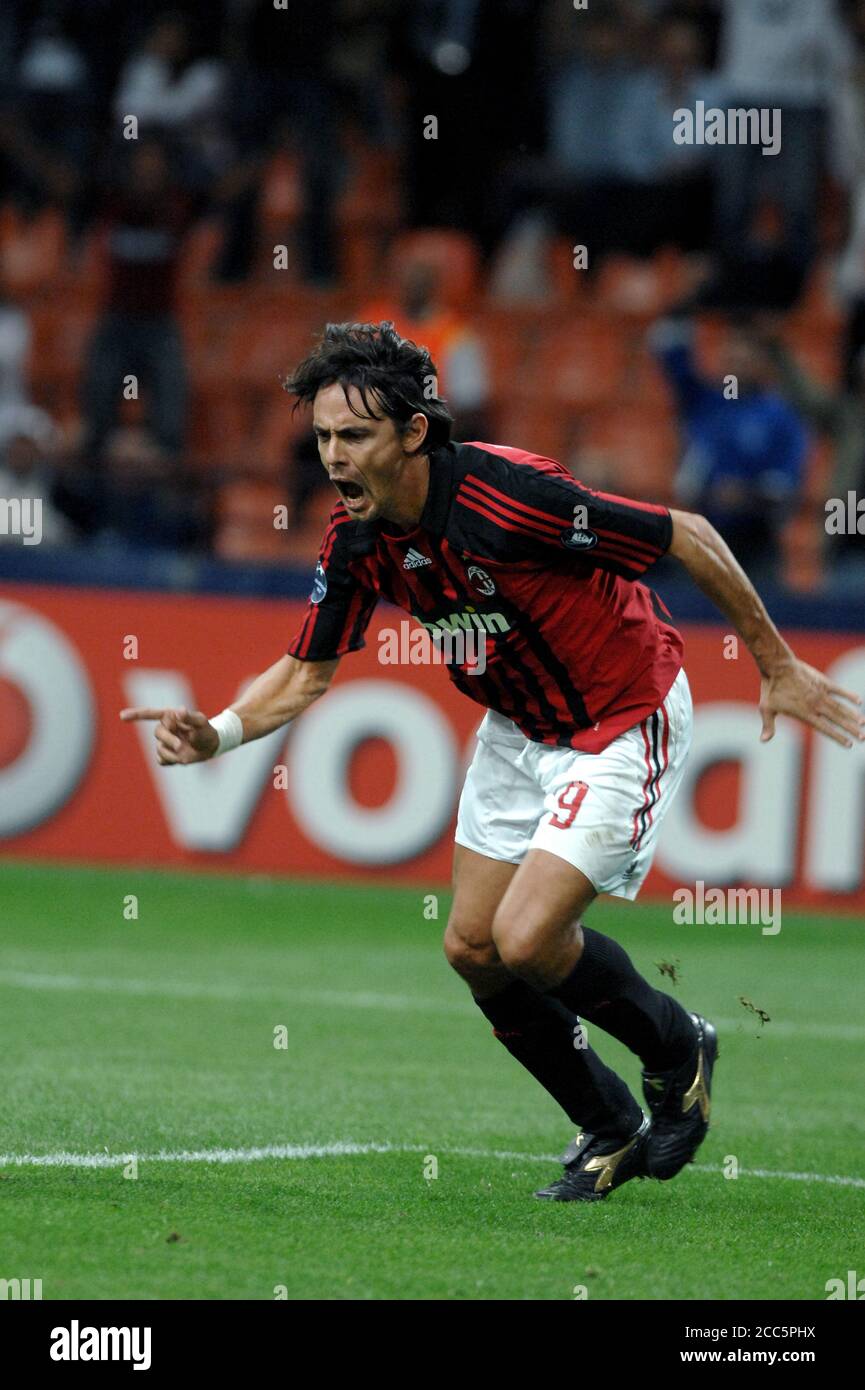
[{"x": 365, "y": 458}]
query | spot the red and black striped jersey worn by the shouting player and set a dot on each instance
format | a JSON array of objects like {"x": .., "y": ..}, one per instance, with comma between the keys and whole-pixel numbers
[{"x": 511, "y": 544}]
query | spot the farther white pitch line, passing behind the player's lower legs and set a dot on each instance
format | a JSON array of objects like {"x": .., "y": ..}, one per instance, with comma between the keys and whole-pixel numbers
[{"x": 368, "y": 1000}]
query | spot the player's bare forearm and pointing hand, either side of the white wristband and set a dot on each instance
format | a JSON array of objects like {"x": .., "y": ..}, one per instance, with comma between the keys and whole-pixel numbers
[{"x": 275, "y": 698}]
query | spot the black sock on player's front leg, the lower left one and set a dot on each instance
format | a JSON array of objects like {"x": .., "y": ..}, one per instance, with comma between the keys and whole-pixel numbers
[{"x": 540, "y": 1033}]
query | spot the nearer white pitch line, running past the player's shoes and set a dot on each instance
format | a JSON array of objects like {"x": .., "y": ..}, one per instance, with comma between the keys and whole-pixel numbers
[{"x": 347, "y": 1149}]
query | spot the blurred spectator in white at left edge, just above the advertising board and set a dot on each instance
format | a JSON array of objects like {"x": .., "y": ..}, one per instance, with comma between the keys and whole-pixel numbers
[{"x": 29, "y": 441}]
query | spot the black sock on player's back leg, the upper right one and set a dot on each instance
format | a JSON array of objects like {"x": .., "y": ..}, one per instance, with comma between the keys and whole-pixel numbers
[{"x": 606, "y": 989}]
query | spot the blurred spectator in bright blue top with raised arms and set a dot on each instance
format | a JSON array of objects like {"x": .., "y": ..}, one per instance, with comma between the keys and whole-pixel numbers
[{"x": 745, "y": 448}]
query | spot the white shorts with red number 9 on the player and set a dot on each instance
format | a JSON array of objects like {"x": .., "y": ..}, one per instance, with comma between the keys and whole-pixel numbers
[{"x": 601, "y": 812}]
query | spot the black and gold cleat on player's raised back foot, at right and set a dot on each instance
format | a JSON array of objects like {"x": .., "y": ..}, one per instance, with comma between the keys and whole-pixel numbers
[{"x": 681, "y": 1103}]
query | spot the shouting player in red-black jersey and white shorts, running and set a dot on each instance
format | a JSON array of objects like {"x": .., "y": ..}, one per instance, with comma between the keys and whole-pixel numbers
[{"x": 585, "y": 737}]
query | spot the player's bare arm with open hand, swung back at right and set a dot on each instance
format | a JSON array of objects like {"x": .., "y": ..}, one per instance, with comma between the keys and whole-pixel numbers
[{"x": 788, "y": 686}]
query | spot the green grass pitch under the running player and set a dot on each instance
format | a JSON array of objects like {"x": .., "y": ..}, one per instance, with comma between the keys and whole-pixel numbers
[{"x": 156, "y": 1038}]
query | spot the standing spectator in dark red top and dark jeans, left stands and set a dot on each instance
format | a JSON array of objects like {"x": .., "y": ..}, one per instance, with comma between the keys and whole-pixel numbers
[{"x": 138, "y": 334}]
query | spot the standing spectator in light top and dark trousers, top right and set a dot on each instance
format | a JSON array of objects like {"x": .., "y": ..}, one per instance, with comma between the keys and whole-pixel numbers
[{"x": 788, "y": 55}]
